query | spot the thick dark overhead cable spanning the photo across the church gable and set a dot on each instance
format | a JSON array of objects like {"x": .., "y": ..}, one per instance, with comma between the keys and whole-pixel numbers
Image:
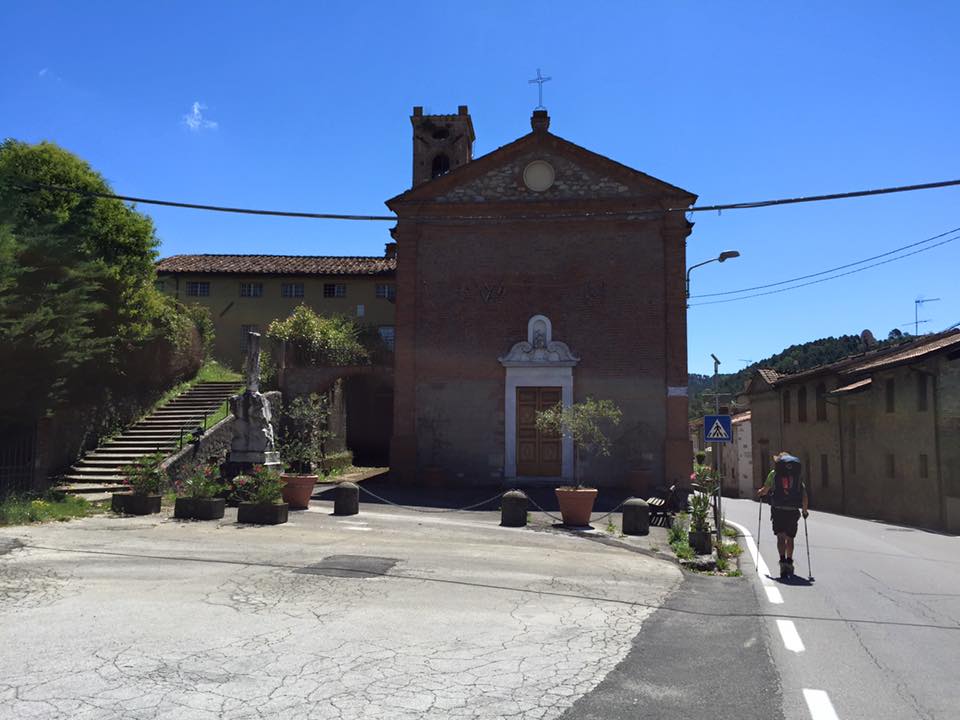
[{"x": 34, "y": 187}]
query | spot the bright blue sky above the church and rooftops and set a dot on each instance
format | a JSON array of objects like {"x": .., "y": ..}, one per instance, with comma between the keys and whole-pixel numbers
[{"x": 305, "y": 106}]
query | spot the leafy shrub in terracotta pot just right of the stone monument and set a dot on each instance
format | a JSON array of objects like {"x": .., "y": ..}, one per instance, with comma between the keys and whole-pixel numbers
[{"x": 304, "y": 433}]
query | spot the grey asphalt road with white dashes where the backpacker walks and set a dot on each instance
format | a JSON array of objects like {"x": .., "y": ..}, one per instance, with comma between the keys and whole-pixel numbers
[{"x": 877, "y": 633}]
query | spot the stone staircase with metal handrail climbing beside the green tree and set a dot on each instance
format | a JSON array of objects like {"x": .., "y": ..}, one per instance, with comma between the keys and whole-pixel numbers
[{"x": 101, "y": 471}]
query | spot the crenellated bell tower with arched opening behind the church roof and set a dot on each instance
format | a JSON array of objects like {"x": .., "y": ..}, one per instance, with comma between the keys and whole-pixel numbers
[{"x": 441, "y": 143}]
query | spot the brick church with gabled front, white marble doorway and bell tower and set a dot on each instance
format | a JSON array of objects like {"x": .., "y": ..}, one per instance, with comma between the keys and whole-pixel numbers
[{"x": 538, "y": 273}]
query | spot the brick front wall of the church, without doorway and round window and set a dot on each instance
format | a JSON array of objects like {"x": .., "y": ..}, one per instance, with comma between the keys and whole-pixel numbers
[{"x": 611, "y": 286}]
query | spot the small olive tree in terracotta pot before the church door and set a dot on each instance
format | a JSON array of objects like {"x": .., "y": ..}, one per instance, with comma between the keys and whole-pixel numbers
[{"x": 587, "y": 423}]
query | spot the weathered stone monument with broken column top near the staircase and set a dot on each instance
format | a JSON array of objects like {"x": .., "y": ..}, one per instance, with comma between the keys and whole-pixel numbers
[{"x": 253, "y": 441}]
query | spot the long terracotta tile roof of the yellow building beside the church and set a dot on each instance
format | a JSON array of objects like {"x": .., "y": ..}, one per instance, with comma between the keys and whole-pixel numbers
[{"x": 278, "y": 265}]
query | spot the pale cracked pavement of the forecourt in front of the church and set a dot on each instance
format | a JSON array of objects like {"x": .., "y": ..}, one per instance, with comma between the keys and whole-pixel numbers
[{"x": 149, "y": 618}]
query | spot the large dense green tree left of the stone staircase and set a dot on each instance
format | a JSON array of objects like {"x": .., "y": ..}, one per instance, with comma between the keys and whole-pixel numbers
[{"x": 78, "y": 303}]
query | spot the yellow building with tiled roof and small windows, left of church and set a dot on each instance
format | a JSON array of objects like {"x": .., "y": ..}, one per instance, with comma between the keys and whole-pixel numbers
[{"x": 246, "y": 292}]
